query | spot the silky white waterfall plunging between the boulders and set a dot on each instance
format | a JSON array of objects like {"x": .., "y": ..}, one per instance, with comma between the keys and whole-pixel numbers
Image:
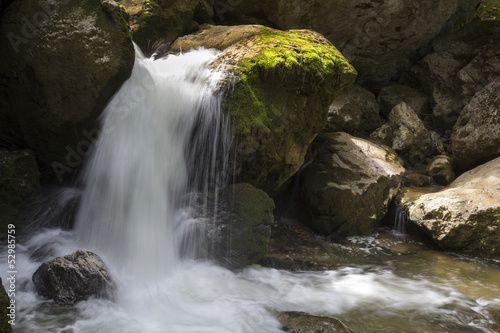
[{"x": 161, "y": 141}]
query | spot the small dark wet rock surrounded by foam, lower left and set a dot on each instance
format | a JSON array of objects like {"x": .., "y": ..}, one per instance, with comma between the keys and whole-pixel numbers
[{"x": 73, "y": 278}]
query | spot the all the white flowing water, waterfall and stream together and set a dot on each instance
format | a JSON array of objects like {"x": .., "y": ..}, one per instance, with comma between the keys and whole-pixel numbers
[{"x": 145, "y": 182}]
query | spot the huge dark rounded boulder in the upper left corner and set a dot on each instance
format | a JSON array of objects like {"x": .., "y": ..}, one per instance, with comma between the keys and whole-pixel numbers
[{"x": 61, "y": 62}]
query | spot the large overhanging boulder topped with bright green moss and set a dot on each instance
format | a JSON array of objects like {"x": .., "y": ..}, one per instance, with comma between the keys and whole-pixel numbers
[{"x": 278, "y": 90}]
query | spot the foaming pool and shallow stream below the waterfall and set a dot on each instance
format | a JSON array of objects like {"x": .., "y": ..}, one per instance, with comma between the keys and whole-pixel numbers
[{"x": 381, "y": 283}]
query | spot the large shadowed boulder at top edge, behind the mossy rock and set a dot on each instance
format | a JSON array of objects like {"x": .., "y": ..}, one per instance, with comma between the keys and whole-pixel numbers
[{"x": 377, "y": 37}]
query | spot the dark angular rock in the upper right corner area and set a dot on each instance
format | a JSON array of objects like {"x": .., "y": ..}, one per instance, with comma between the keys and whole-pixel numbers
[{"x": 461, "y": 64}]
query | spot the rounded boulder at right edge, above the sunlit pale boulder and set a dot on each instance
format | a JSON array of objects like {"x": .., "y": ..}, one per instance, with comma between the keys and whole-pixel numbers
[{"x": 476, "y": 135}]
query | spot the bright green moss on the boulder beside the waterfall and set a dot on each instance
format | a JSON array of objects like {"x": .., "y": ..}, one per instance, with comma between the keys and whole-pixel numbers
[{"x": 293, "y": 58}]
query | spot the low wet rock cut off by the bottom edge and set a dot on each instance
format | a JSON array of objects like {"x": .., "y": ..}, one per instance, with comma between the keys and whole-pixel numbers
[{"x": 300, "y": 322}]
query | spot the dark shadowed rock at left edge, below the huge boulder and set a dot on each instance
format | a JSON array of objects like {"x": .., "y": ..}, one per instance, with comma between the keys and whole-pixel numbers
[{"x": 19, "y": 182}]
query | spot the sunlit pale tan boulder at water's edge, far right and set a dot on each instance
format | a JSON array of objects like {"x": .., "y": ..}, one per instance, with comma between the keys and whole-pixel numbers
[{"x": 465, "y": 216}]
